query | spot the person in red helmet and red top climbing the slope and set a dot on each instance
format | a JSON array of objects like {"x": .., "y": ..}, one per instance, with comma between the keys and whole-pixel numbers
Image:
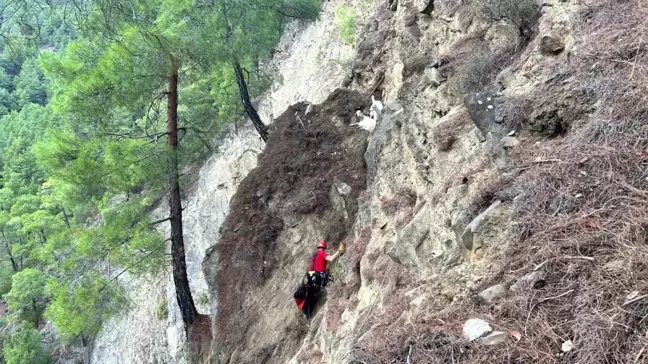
[{"x": 316, "y": 278}]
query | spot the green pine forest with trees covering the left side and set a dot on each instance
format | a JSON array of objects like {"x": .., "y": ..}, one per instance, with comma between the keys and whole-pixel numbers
[{"x": 103, "y": 104}]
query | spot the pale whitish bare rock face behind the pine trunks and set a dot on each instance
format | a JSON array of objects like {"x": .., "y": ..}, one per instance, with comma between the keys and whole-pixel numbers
[{"x": 310, "y": 63}]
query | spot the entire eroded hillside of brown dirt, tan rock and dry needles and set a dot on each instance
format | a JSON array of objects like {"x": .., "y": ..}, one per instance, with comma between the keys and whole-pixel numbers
[{"x": 505, "y": 182}]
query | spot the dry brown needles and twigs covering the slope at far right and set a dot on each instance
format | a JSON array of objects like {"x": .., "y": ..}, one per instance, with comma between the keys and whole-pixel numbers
[{"x": 583, "y": 203}]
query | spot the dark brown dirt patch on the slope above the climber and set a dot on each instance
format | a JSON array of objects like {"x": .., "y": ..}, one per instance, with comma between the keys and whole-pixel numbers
[{"x": 294, "y": 176}]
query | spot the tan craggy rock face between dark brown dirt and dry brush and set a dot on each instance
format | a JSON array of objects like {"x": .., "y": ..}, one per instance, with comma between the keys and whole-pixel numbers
[{"x": 470, "y": 88}]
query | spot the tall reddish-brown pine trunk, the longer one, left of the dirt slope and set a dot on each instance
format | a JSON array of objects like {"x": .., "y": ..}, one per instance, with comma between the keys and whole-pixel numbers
[{"x": 178, "y": 261}]
